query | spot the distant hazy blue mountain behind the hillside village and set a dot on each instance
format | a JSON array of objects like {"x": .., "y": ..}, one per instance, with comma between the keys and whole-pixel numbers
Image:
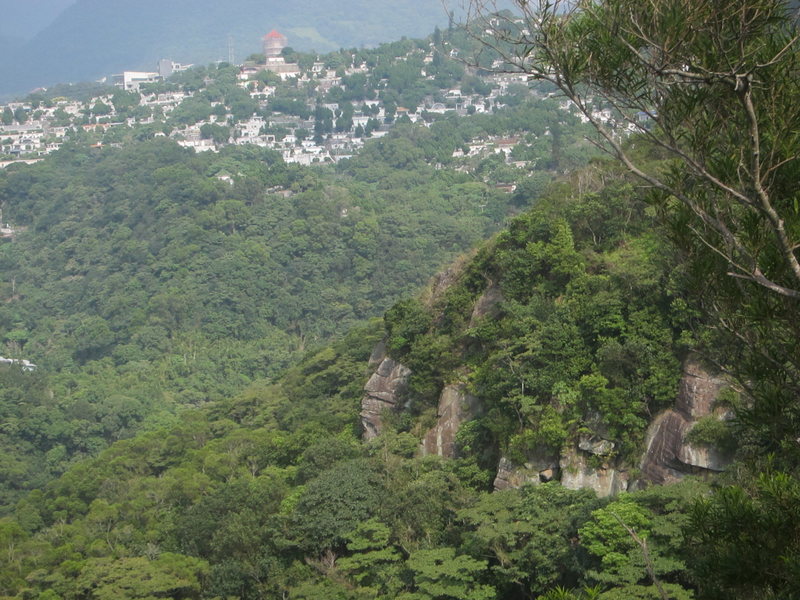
[{"x": 93, "y": 38}]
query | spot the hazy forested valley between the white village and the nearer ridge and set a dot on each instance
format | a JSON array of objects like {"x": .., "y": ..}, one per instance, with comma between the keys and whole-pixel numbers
[{"x": 142, "y": 283}]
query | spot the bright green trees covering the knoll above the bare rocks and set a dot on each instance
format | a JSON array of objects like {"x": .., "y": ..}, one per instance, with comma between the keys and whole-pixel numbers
[{"x": 584, "y": 337}]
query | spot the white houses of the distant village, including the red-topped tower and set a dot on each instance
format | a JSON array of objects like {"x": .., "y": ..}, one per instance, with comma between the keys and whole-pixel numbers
[{"x": 46, "y": 127}]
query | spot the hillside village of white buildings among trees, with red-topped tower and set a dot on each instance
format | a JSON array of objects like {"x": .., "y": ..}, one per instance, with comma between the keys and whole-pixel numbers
[{"x": 309, "y": 108}]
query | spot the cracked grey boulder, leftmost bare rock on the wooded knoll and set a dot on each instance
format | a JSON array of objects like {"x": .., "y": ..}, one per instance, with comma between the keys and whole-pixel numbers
[{"x": 382, "y": 392}]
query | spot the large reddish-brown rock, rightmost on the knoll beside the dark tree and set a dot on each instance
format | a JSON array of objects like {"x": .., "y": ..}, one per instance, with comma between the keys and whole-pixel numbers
[{"x": 668, "y": 456}]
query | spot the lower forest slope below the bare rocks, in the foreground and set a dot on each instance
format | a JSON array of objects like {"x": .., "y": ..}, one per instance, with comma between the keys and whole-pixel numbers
[{"x": 271, "y": 494}]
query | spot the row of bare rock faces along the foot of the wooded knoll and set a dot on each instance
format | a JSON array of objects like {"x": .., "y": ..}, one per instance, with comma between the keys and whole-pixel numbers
[{"x": 590, "y": 461}]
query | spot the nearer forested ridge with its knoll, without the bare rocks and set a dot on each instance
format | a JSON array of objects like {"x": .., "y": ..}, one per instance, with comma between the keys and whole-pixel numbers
[{"x": 271, "y": 494}]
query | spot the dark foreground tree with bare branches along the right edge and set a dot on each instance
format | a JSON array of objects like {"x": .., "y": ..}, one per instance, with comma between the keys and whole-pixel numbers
[{"x": 713, "y": 88}]
